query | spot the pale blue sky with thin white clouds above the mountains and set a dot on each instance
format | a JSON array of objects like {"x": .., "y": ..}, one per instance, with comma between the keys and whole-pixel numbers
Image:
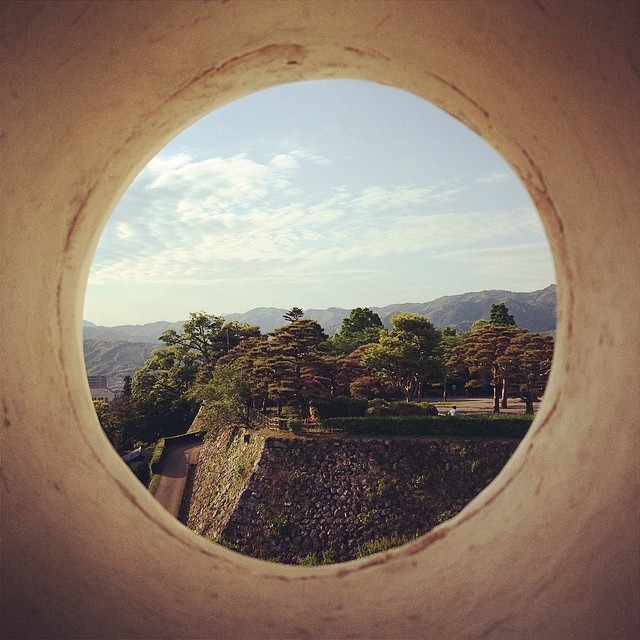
[{"x": 318, "y": 194}]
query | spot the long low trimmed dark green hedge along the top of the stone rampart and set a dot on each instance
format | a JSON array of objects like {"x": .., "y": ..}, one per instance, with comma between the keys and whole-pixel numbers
[{"x": 495, "y": 426}]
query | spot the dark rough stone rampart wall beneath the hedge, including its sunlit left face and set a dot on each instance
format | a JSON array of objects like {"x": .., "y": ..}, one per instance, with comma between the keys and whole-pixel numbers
[{"x": 332, "y": 499}]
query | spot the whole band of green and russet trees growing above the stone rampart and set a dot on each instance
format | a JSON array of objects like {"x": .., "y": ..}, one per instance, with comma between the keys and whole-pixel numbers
[{"x": 230, "y": 367}]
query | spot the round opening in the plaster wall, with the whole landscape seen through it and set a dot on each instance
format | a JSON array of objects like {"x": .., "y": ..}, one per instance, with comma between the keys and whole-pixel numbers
[{"x": 336, "y": 194}]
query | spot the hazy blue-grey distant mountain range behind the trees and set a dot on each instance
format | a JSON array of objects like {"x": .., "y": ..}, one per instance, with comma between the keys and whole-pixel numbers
[{"x": 121, "y": 350}]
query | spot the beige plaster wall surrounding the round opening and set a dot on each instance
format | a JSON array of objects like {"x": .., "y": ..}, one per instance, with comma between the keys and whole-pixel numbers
[{"x": 92, "y": 90}]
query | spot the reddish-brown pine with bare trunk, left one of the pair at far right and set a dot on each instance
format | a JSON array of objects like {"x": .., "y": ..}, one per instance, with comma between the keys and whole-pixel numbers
[{"x": 480, "y": 357}]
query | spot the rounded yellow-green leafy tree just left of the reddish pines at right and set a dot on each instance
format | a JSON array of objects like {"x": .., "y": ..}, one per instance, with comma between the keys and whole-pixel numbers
[{"x": 406, "y": 355}]
